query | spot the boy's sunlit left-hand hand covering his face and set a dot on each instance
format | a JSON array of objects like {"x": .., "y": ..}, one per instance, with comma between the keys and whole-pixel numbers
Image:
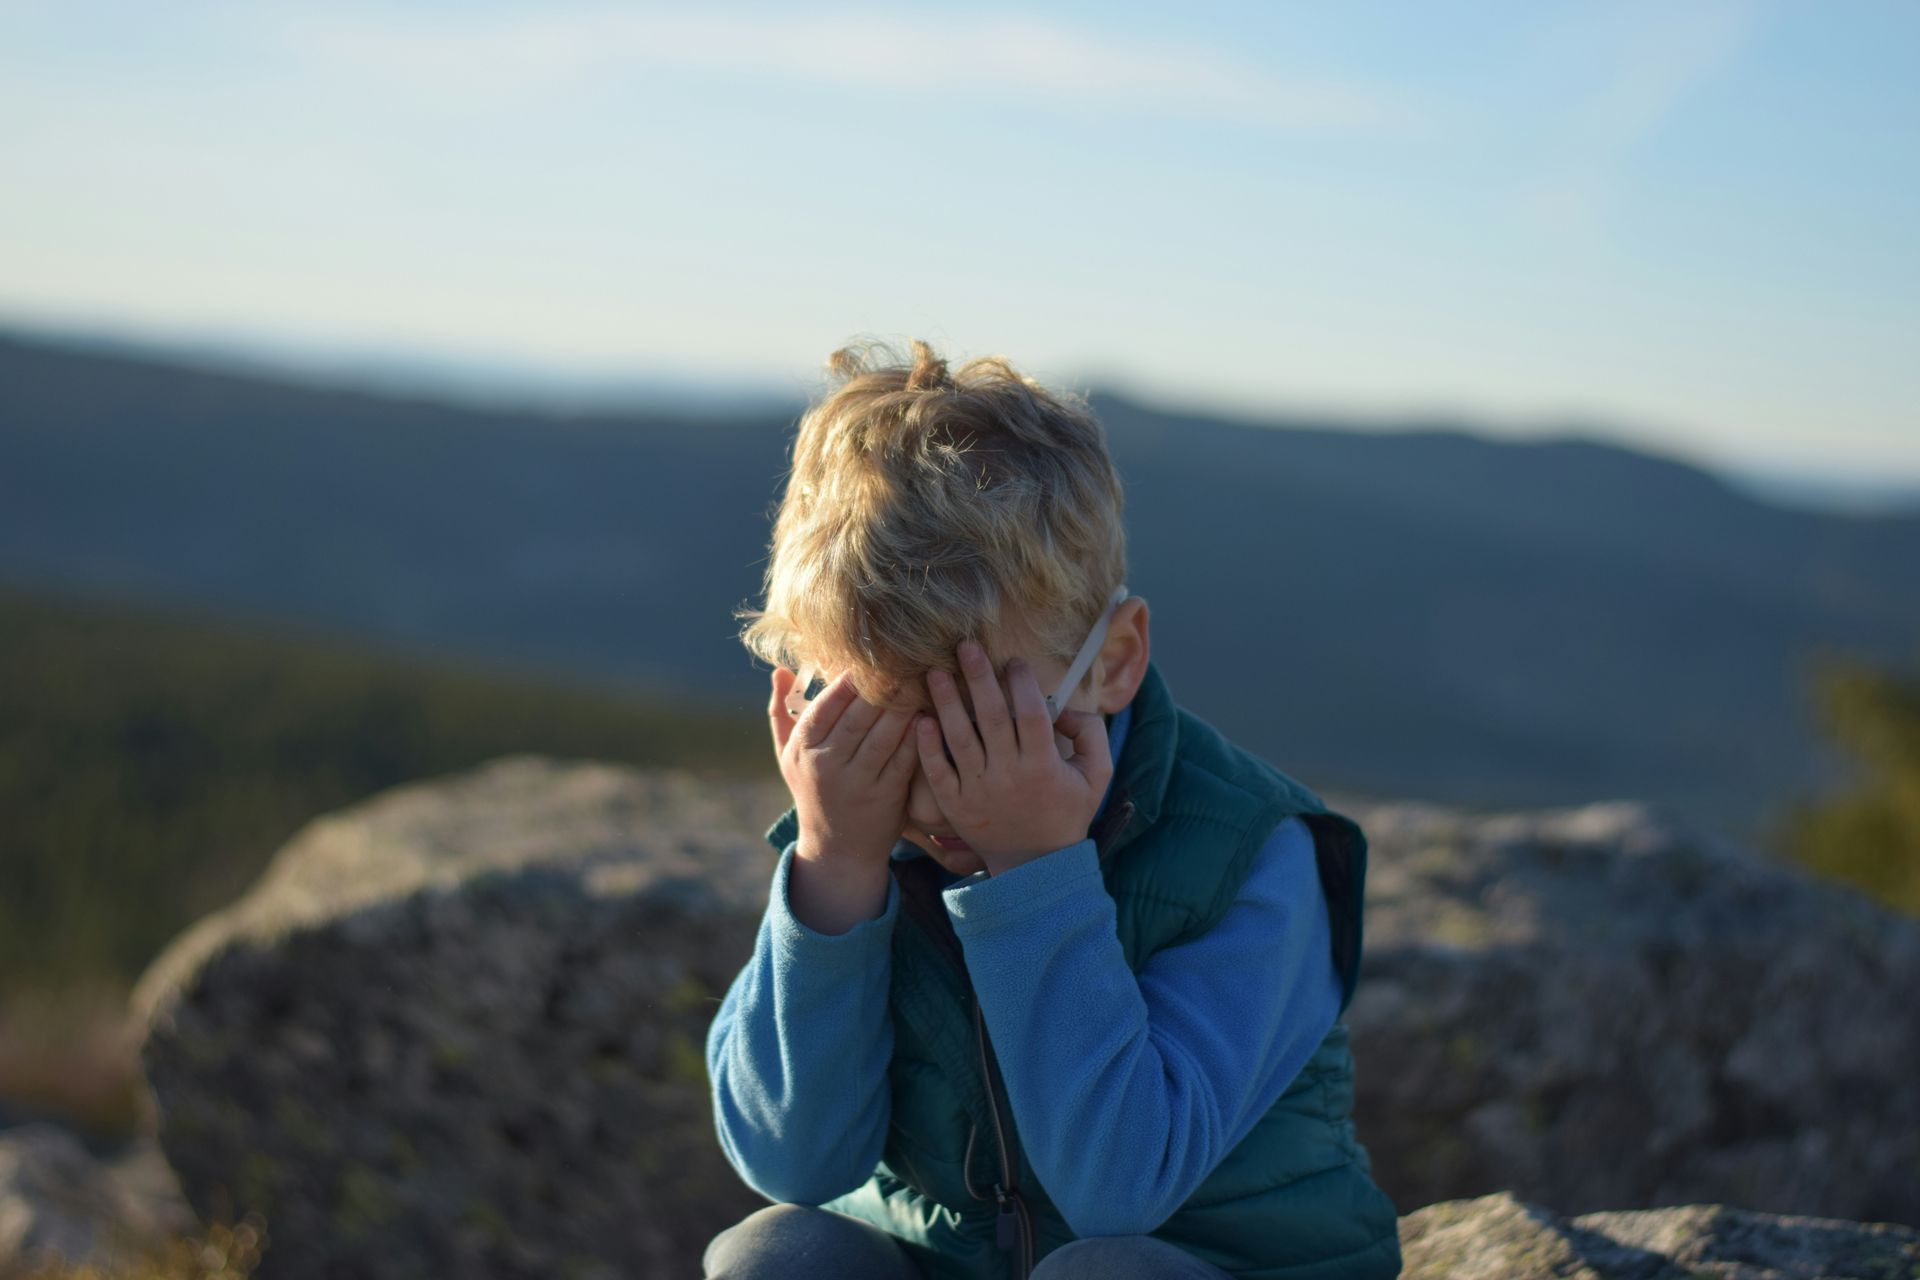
[{"x": 848, "y": 767}]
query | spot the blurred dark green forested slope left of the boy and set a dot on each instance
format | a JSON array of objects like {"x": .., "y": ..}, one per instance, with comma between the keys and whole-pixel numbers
[{"x": 153, "y": 765}]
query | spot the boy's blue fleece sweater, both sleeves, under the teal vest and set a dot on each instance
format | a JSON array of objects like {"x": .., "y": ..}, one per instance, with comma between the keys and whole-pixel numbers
[{"x": 1126, "y": 1089}]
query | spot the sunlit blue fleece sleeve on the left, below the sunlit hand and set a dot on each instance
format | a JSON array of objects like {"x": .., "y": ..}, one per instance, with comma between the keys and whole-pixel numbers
[{"x": 798, "y": 1055}]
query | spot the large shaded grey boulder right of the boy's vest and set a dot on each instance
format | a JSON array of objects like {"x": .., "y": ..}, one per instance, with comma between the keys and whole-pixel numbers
[{"x": 1598, "y": 1010}]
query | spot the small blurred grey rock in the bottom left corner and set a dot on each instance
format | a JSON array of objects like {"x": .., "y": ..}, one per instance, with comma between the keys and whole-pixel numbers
[{"x": 62, "y": 1204}]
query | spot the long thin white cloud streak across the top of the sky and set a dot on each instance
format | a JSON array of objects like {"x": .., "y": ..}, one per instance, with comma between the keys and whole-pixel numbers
[{"x": 1009, "y": 57}]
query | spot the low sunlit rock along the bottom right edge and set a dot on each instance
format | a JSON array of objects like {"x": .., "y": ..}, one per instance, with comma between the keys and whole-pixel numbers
[{"x": 1504, "y": 1239}]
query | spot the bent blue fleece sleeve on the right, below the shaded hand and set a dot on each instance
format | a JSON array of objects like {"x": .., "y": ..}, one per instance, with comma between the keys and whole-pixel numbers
[{"x": 1128, "y": 1089}]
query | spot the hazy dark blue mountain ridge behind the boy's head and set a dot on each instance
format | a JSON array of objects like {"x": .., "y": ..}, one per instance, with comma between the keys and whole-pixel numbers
[{"x": 1416, "y": 613}]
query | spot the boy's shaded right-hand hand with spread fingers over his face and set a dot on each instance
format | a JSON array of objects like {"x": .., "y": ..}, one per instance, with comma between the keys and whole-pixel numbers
[{"x": 1007, "y": 792}]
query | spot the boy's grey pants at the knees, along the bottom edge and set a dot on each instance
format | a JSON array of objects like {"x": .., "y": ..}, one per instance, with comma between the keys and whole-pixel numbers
[{"x": 800, "y": 1243}]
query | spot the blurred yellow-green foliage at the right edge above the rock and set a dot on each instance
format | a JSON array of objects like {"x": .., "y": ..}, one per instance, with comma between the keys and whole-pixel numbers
[{"x": 1867, "y": 834}]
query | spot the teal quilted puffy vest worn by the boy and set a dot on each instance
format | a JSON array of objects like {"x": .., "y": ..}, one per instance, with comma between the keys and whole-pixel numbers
[{"x": 1295, "y": 1200}]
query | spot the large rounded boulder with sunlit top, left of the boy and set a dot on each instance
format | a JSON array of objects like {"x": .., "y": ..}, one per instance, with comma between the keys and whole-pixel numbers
[{"x": 458, "y": 1030}]
